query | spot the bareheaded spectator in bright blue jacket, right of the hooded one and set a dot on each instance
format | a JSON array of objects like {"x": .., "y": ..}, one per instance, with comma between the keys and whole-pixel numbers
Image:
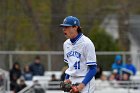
[{"x": 129, "y": 66}]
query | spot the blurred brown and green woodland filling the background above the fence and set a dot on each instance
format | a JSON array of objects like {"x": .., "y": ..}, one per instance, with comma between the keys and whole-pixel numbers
[{"x": 33, "y": 25}]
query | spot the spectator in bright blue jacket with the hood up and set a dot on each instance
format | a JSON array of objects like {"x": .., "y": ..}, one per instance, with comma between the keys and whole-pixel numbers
[{"x": 117, "y": 65}]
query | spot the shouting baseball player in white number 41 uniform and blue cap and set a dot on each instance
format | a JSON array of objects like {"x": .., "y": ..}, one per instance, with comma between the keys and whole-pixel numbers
[{"x": 79, "y": 53}]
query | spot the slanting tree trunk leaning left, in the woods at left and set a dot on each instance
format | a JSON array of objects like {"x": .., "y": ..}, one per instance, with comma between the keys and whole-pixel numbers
[{"x": 28, "y": 9}]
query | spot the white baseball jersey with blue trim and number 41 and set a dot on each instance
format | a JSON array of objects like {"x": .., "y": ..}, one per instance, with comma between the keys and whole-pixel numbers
[{"x": 79, "y": 55}]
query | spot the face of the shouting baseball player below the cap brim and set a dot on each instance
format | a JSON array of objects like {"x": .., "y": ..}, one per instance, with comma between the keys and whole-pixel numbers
[{"x": 70, "y": 32}]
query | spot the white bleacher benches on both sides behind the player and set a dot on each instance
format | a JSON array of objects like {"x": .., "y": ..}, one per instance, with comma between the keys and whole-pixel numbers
[{"x": 43, "y": 80}]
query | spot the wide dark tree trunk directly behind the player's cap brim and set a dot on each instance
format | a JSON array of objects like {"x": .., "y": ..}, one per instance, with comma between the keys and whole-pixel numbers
[{"x": 58, "y": 13}]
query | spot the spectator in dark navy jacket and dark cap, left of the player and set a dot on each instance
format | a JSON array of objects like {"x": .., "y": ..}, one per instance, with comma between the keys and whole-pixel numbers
[{"x": 37, "y": 68}]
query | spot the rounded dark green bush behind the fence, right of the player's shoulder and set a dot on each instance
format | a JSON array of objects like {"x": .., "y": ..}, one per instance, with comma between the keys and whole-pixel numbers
[{"x": 103, "y": 42}]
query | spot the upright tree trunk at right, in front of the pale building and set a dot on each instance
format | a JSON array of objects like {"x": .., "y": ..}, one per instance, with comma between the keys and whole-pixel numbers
[{"x": 123, "y": 18}]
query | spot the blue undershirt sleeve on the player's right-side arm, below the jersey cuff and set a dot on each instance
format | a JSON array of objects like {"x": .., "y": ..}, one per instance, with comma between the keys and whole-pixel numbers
[{"x": 91, "y": 73}]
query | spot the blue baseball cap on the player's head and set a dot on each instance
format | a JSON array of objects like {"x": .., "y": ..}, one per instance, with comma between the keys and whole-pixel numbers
[{"x": 70, "y": 21}]
